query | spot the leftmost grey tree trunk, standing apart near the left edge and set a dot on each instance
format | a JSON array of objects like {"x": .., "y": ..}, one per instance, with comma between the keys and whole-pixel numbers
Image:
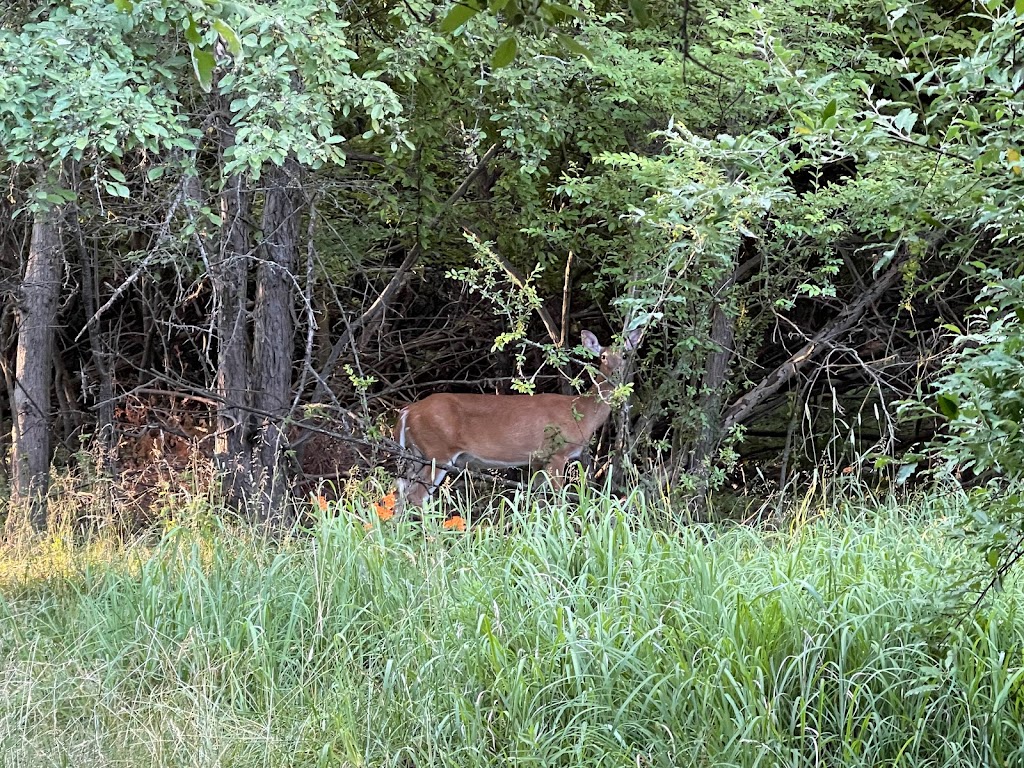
[{"x": 37, "y": 308}]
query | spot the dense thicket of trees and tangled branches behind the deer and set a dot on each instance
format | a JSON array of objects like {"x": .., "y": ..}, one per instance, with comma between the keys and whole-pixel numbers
[{"x": 229, "y": 221}]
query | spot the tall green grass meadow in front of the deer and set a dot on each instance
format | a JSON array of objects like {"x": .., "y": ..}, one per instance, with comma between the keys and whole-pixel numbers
[{"x": 548, "y": 636}]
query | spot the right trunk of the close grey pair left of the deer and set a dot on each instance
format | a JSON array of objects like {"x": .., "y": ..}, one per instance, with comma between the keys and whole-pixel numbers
[{"x": 274, "y": 335}]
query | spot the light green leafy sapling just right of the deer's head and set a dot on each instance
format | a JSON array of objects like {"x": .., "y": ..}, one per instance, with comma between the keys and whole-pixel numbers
[{"x": 698, "y": 221}]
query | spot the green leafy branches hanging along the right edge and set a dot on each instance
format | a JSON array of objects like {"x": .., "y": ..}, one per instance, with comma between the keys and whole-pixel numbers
[{"x": 954, "y": 117}]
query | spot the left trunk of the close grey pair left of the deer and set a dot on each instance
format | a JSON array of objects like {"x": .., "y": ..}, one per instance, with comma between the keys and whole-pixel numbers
[{"x": 230, "y": 273}]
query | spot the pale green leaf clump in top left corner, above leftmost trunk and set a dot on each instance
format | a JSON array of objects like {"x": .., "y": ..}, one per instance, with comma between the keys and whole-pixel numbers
[{"x": 81, "y": 82}]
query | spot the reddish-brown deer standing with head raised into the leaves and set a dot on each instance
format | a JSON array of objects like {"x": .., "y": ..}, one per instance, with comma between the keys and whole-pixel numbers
[{"x": 499, "y": 431}]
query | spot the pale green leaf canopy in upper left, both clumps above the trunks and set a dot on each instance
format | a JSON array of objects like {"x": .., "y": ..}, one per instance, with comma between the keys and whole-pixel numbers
[{"x": 93, "y": 78}]
